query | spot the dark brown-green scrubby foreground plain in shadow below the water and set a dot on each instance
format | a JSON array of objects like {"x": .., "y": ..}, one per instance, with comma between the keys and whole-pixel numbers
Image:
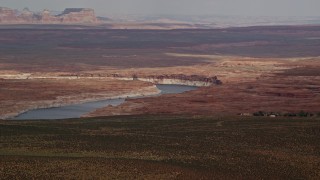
[{"x": 161, "y": 147}]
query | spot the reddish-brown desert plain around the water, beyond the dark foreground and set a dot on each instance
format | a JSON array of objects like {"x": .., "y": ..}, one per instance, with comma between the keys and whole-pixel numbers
[{"x": 233, "y": 76}]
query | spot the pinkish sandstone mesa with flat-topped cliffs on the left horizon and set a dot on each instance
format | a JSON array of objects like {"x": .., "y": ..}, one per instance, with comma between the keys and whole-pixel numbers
[{"x": 68, "y": 16}]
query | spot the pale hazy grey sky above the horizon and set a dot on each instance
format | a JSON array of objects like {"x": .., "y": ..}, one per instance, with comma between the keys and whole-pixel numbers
[{"x": 179, "y": 7}]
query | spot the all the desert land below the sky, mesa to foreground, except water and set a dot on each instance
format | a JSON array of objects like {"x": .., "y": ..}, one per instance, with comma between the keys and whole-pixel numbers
[{"x": 254, "y": 113}]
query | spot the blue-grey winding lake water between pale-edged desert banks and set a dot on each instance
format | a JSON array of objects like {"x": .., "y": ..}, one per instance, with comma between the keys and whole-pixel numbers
[{"x": 77, "y": 110}]
